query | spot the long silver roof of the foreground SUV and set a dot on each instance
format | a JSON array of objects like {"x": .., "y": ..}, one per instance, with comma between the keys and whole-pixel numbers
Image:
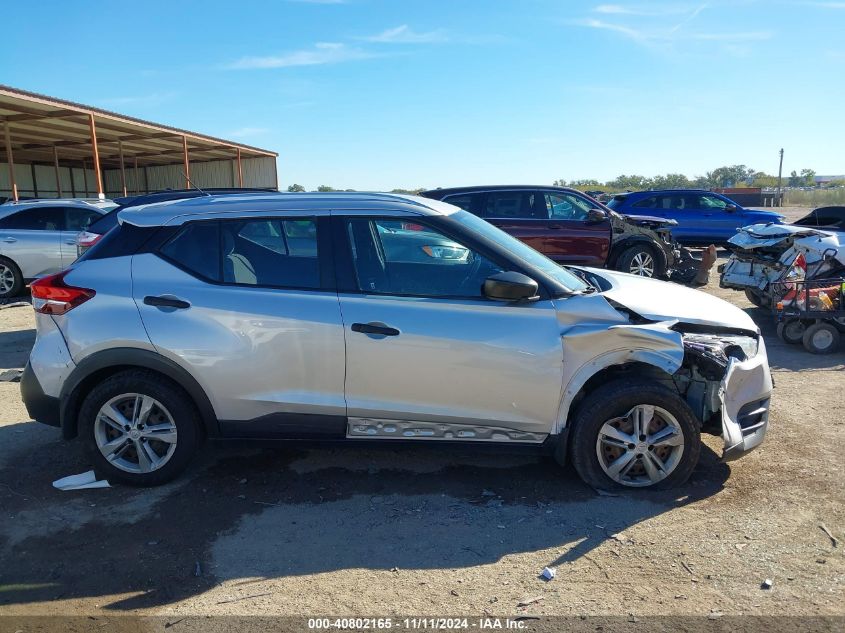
[{"x": 207, "y": 207}]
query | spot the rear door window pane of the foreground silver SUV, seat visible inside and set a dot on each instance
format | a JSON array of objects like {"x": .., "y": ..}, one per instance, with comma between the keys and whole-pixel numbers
[{"x": 271, "y": 252}]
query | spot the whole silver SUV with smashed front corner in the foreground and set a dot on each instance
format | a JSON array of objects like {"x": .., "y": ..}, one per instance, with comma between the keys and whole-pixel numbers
[{"x": 380, "y": 318}]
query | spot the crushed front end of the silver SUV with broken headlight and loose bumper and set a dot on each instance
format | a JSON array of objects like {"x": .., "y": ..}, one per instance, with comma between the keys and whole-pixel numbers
[{"x": 725, "y": 378}]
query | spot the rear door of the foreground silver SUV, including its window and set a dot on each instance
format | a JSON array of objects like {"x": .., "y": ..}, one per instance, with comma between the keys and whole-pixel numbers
[{"x": 249, "y": 308}]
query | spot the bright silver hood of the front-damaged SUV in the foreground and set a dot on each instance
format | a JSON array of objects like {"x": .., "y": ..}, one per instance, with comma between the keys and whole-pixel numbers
[{"x": 666, "y": 301}]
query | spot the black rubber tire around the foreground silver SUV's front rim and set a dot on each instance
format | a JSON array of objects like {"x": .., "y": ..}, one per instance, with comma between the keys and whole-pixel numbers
[{"x": 615, "y": 400}]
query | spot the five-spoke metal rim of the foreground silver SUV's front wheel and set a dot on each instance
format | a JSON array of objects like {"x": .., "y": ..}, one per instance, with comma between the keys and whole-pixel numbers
[{"x": 640, "y": 448}]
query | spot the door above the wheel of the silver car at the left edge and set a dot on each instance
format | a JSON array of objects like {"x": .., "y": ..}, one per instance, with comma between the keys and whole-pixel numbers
[{"x": 31, "y": 238}]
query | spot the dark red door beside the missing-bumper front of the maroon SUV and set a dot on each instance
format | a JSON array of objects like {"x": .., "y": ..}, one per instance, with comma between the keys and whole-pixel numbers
[{"x": 572, "y": 238}]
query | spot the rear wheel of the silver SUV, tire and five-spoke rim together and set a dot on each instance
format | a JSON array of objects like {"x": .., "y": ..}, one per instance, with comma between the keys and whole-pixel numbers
[{"x": 139, "y": 428}]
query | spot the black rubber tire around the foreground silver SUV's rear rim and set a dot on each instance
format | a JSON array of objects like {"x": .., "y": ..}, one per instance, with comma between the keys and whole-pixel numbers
[{"x": 176, "y": 401}]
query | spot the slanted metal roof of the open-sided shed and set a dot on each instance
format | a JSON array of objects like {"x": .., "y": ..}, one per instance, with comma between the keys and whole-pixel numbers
[{"x": 39, "y": 123}]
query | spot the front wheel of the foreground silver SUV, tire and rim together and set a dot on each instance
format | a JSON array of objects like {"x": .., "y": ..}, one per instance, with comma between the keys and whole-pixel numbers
[{"x": 634, "y": 434}]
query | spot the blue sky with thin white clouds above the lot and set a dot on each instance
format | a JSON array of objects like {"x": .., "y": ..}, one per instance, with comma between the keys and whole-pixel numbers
[{"x": 376, "y": 94}]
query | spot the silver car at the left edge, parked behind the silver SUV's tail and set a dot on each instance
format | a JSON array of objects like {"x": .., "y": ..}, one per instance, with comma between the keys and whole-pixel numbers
[{"x": 38, "y": 237}]
